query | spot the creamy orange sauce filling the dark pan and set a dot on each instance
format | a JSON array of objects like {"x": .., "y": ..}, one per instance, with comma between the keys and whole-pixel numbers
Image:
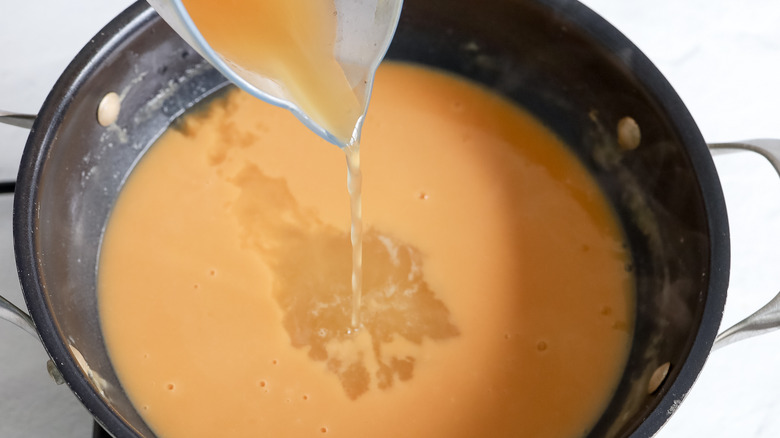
[{"x": 496, "y": 299}]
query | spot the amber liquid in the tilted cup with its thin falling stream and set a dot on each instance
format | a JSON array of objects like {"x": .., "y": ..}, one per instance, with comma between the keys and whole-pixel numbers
[{"x": 291, "y": 42}]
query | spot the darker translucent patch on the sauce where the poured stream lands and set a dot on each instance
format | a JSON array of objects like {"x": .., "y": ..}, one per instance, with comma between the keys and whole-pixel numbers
[{"x": 311, "y": 262}]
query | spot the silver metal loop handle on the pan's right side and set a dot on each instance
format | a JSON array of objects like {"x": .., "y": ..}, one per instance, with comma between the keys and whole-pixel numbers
[{"x": 767, "y": 318}]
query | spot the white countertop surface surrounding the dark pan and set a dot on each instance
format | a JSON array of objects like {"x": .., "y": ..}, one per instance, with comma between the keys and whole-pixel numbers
[{"x": 722, "y": 57}]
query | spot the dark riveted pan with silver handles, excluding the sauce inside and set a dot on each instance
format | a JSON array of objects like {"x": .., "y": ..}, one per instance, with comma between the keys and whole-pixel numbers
[{"x": 556, "y": 58}]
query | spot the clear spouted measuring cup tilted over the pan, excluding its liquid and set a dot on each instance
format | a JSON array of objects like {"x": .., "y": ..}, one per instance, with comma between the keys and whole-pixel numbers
[{"x": 364, "y": 31}]
